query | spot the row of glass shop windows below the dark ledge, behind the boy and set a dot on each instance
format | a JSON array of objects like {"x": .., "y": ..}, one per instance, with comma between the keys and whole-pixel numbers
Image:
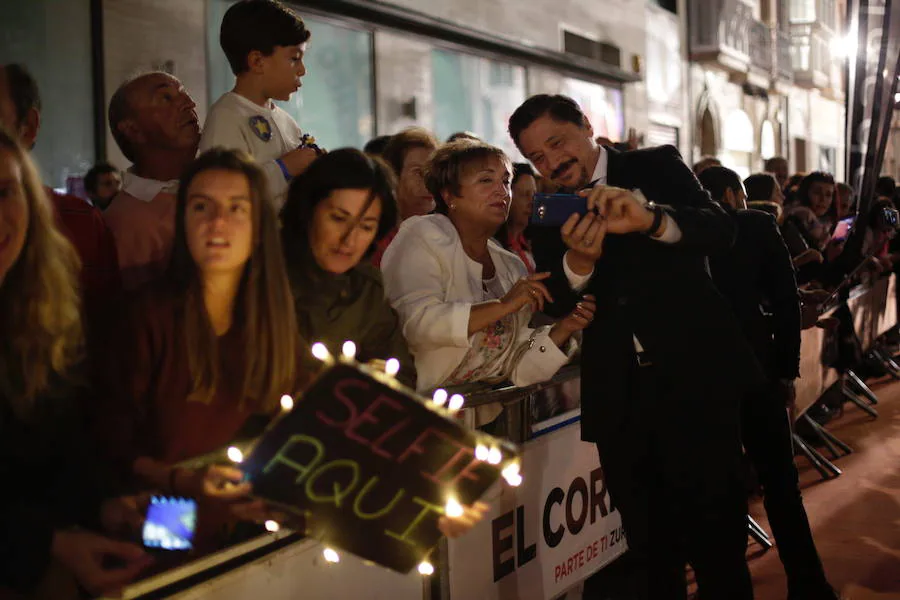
[{"x": 418, "y": 83}]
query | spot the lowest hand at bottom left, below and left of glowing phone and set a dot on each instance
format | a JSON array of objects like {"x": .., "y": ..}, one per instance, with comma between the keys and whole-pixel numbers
[{"x": 86, "y": 555}]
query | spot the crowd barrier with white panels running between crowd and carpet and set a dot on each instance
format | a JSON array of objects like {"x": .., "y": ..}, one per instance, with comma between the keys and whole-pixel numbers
[{"x": 540, "y": 540}]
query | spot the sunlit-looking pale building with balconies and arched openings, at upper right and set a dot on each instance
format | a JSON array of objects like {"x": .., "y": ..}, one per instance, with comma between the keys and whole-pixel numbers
[{"x": 767, "y": 79}]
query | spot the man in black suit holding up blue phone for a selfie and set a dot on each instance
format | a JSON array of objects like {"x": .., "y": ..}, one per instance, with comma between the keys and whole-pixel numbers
[{"x": 664, "y": 363}]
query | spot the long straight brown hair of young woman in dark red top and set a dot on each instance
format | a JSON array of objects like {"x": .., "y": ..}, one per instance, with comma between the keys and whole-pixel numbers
[{"x": 263, "y": 308}]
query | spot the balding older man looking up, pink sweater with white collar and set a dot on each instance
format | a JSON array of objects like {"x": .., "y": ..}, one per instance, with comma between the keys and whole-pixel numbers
[{"x": 154, "y": 122}]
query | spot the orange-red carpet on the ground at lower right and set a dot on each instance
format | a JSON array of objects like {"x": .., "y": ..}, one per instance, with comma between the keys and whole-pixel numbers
[{"x": 856, "y": 517}]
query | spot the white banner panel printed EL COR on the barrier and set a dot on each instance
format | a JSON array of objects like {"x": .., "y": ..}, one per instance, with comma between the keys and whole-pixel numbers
[{"x": 545, "y": 536}]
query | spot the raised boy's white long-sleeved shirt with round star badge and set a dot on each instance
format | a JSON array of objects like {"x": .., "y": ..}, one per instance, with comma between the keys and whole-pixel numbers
[{"x": 266, "y": 133}]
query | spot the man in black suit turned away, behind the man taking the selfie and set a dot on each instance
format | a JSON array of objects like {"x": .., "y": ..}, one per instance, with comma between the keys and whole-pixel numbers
[{"x": 757, "y": 277}]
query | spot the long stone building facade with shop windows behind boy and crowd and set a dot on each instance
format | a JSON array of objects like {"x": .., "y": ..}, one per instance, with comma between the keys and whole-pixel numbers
[{"x": 373, "y": 67}]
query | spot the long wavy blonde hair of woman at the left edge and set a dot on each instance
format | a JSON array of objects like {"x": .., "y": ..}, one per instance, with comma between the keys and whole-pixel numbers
[{"x": 40, "y": 309}]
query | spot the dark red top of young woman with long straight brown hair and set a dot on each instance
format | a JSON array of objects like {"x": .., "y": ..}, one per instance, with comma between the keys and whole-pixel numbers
[{"x": 144, "y": 385}]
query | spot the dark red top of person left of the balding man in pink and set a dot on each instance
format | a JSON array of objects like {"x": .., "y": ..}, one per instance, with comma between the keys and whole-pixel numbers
[{"x": 84, "y": 226}]
